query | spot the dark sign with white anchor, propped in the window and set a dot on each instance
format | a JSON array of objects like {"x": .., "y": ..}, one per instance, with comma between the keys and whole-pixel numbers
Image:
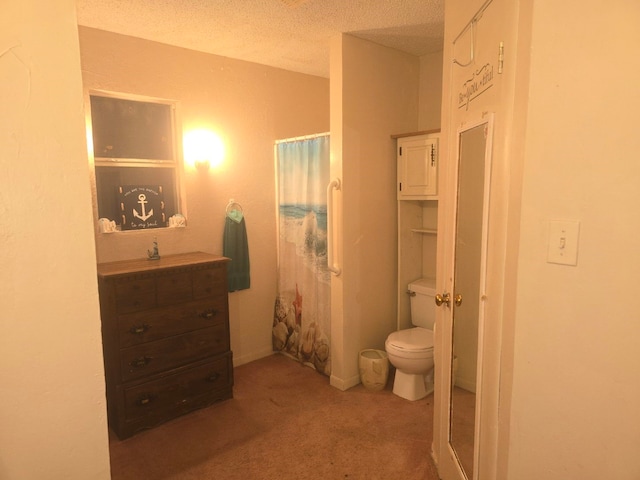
[{"x": 141, "y": 207}]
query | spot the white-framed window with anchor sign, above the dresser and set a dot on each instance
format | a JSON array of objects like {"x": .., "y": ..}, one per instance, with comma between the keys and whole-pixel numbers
[{"x": 136, "y": 166}]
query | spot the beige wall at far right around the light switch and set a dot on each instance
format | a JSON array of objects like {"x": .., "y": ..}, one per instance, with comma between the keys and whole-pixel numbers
[{"x": 574, "y": 406}]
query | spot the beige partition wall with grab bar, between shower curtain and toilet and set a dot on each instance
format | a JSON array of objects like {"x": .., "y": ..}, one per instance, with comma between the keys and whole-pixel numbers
[{"x": 374, "y": 94}]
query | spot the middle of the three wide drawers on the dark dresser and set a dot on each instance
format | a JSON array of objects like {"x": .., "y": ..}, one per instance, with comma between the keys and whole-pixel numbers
[{"x": 153, "y": 357}]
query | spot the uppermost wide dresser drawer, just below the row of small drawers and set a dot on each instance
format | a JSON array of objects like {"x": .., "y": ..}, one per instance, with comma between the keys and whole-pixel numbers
[{"x": 150, "y": 325}]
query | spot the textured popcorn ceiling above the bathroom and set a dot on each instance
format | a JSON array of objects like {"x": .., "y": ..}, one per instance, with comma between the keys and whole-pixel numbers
[{"x": 289, "y": 34}]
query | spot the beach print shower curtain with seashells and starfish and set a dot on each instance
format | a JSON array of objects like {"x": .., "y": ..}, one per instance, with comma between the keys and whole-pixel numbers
[{"x": 302, "y": 314}]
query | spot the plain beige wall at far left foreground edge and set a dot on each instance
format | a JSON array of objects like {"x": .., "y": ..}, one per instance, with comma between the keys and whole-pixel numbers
[{"x": 52, "y": 406}]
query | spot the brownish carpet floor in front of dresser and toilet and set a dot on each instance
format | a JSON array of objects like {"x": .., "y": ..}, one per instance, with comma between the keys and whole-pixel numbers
[{"x": 286, "y": 422}]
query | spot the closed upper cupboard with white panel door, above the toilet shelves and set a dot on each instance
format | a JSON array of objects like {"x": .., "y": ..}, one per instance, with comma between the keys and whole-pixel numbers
[{"x": 417, "y": 157}]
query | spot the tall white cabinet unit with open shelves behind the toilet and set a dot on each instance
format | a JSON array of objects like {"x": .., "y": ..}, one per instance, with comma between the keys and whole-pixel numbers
[{"x": 417, "y": 215}]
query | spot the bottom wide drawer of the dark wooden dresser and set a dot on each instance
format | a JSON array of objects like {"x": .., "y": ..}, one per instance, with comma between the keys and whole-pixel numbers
[{"x": 205, "y": 383}]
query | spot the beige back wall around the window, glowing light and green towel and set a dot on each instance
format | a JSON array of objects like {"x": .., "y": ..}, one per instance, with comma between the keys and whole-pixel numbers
[{"x": 249, "y": 106}]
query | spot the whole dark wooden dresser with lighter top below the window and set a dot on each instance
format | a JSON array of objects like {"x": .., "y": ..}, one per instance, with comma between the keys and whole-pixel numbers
[{"x": 165, "y": 334}]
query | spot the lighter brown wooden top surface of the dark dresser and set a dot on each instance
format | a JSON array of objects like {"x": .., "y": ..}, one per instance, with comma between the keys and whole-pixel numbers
[{"x": 124, "y": 267}]
